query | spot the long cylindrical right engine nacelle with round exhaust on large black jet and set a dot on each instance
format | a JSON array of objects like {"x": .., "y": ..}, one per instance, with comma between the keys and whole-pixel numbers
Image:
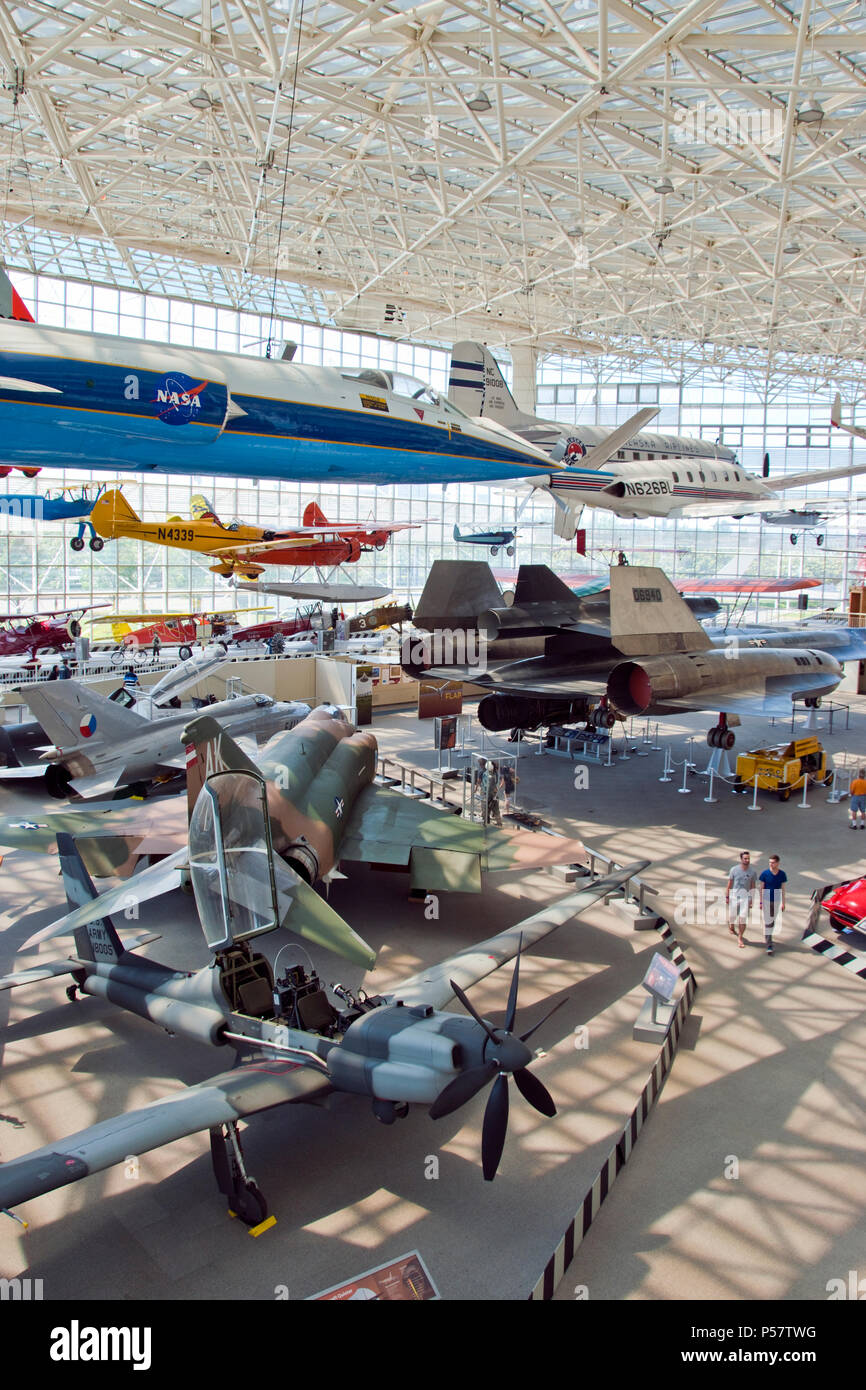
[{"x": 642, "y": 687}]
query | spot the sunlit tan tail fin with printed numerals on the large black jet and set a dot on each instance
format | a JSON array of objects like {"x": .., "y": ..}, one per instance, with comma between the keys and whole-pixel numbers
[{"x": 648, "y": 618}]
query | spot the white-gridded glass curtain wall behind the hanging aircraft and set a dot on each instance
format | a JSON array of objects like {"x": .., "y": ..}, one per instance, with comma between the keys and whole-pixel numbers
[{"x": 792, "y": 425}]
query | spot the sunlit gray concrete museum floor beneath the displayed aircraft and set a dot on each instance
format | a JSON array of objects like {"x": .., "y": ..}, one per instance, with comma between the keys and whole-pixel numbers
[{"x": 768, "y": 1085}]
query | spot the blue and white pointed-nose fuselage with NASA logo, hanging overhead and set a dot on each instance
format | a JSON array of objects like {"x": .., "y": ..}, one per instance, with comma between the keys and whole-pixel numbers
[{"x": 90, "y": 401}]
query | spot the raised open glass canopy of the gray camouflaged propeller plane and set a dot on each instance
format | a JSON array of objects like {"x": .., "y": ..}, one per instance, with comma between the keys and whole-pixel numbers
[{"x": 231, "y": 860}]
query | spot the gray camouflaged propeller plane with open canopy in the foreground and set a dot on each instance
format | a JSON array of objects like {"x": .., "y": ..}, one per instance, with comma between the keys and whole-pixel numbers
[{"x": 398, "y": 1050}]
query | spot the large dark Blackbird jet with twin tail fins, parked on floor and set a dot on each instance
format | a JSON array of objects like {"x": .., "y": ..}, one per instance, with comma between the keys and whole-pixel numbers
[{"x": 553, "y": 657}]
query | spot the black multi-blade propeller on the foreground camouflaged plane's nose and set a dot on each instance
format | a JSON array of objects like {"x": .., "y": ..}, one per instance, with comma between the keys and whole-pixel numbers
[{"x": 505, "y": 1056}]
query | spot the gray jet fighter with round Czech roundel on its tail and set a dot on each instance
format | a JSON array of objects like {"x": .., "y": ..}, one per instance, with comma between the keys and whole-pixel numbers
[{"x": 102, "y": 744}]
